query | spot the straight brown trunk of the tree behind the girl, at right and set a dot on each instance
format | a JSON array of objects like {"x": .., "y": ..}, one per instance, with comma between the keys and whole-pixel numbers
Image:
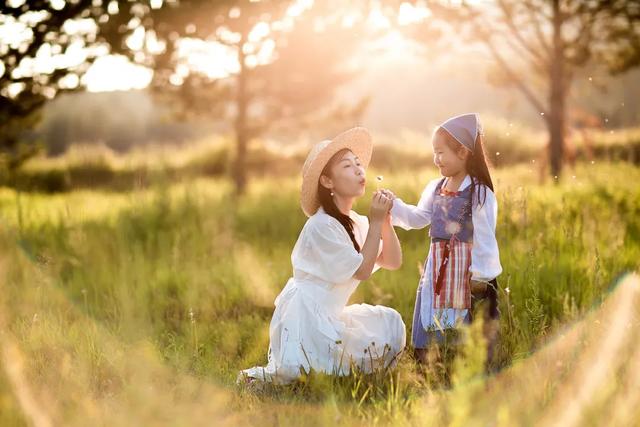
[{"x": 557, "y": 97}]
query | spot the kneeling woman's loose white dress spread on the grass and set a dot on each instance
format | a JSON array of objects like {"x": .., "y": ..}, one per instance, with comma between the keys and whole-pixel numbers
[{"x": 312, "y": 326}]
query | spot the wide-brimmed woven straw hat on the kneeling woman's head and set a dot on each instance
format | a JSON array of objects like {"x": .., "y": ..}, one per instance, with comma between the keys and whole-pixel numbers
[{"x": 358, "y": 140}]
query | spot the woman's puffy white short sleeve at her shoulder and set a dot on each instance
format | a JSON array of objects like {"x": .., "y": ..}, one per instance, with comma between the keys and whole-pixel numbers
[{"x": 326, "y": 251}]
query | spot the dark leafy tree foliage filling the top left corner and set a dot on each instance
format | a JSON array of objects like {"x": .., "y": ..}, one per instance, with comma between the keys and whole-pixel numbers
[{"x": 46, "y": 48}]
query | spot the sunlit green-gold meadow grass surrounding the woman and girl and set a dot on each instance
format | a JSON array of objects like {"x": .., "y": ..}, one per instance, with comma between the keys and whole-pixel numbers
[{"x": 140, "y": 307}]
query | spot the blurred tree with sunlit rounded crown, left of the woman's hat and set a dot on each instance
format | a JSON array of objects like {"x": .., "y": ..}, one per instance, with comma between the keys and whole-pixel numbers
[{"x": 286, "y": 66}]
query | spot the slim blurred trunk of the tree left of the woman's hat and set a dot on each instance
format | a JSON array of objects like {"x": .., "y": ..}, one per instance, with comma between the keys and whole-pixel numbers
[{"x": 241, "y": 133}]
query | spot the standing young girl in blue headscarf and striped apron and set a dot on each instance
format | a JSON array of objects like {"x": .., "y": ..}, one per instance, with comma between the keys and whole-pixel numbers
[{"x": 463, "y": 259}]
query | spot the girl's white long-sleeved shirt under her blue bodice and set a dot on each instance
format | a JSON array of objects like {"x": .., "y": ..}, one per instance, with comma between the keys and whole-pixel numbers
[{"x": 485, "y": 256}]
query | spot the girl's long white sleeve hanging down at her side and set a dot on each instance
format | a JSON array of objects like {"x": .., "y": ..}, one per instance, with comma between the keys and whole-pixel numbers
[{"x": 485, "y": 256}]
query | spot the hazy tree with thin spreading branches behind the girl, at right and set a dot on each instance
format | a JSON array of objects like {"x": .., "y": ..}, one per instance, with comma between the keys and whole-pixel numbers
[{"x": 550, "y": 41}]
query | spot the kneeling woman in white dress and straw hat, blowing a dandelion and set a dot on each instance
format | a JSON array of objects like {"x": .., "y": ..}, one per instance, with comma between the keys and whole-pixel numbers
[{"x": 312, "y": 327}]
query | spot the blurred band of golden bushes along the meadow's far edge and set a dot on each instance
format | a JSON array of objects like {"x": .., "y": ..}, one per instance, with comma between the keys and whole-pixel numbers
[{"x": 98, "y": 167}]
